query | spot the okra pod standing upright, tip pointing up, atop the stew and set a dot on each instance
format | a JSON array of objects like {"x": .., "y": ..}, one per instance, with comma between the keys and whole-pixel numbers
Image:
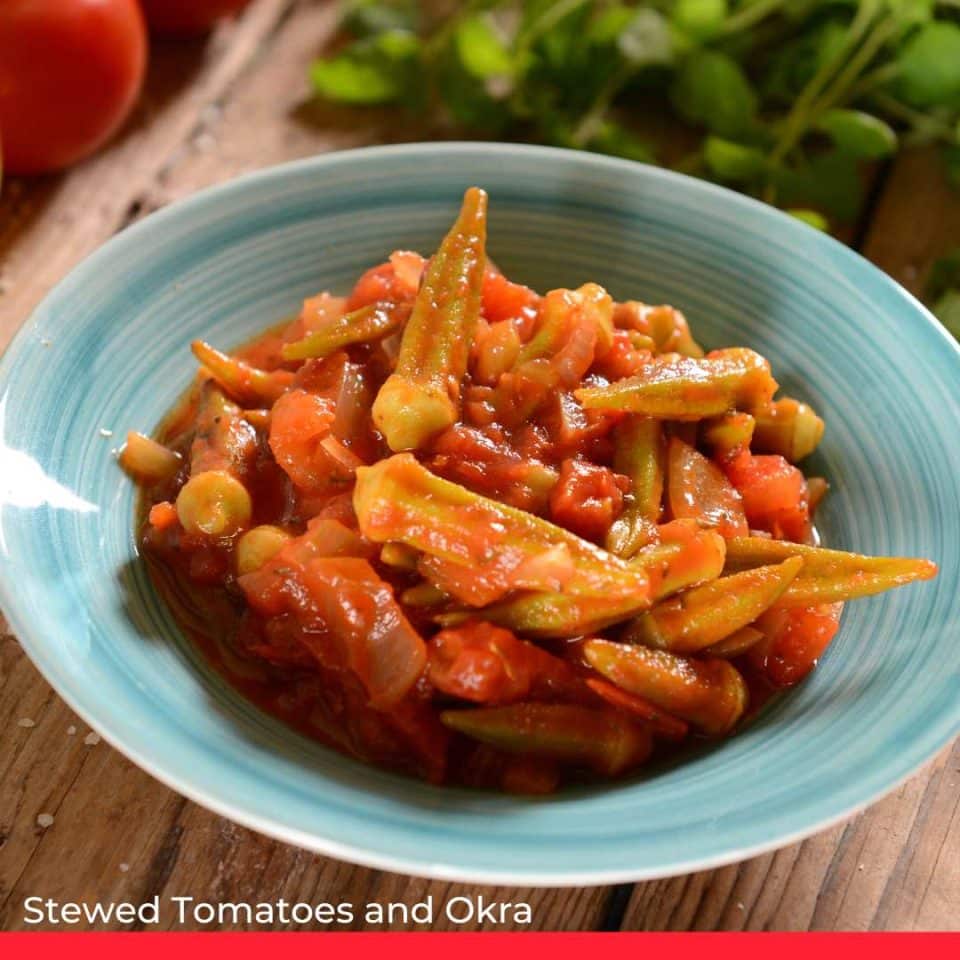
[{"x": 422, "y": 396}]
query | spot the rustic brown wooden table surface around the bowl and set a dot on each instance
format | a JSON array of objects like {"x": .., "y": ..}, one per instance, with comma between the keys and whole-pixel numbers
[{"x": 217, "y": 108}]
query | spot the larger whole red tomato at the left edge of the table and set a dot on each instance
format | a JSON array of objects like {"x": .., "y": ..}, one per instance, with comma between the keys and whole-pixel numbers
[{"x": 70, "y": 71}]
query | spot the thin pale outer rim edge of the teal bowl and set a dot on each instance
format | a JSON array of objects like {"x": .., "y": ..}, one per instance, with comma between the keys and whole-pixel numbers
[{"x": 373, "y": 856}]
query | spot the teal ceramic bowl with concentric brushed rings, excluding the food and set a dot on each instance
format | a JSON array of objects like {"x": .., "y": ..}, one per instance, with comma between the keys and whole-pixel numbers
[{"x": 108, "y": 351}]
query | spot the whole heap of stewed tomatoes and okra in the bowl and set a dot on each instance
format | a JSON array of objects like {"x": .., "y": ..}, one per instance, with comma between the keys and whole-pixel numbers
[{"x": 484, "y": 536}]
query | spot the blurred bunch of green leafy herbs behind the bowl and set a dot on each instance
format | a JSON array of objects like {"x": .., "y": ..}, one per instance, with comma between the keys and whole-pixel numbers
[{"x": 788, "y": 100}]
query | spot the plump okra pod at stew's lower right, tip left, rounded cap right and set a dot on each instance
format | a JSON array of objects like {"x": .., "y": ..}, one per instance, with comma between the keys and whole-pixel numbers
[{"x": 708, "y": 693}]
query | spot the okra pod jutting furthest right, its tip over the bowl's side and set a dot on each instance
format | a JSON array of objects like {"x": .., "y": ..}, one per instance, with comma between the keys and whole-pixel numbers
[{"x": 828, "y": 576}]
